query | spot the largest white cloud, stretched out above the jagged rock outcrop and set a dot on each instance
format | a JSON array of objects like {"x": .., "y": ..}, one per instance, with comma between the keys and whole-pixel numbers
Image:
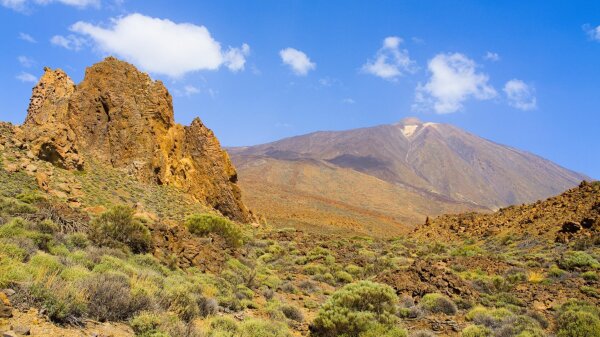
[{"x": 162, "y": 46}]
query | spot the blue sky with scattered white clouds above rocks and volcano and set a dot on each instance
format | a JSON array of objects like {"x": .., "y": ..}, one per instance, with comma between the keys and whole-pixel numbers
[{"x": 521, "y": 73}]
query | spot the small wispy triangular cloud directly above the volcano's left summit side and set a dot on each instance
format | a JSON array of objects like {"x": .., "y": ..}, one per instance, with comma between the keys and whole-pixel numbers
[{"x": 390, "y": 61}]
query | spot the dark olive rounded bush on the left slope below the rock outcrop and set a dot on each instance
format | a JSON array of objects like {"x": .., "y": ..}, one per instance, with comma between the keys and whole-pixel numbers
[{"x": 118, "y": 228}]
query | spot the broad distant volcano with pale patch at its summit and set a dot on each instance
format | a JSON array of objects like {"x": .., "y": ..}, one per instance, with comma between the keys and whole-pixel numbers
[{"x": 401, "y": 172}]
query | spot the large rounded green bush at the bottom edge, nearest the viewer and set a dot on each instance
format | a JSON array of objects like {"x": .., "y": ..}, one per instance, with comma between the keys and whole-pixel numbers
[{"x": 356, "y": 308}]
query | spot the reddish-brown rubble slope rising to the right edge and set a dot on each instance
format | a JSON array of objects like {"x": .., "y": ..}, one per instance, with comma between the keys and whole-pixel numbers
[{"x": 572, "y": 215}]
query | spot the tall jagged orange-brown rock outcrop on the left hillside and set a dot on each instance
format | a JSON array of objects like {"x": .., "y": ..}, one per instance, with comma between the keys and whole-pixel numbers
[{"x": 121, "y": 117}]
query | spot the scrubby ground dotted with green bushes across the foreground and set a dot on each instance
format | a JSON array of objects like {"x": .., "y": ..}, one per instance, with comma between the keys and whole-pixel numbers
[{"x": 279, "y": 282}]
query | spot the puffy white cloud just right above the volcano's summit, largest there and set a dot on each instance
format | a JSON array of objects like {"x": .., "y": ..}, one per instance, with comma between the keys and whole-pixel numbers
[{"x": 454, "y": 79}]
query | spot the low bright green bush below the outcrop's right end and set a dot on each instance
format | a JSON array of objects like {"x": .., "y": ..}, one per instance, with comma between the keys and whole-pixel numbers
[{"x": 204, "y": 224}]
